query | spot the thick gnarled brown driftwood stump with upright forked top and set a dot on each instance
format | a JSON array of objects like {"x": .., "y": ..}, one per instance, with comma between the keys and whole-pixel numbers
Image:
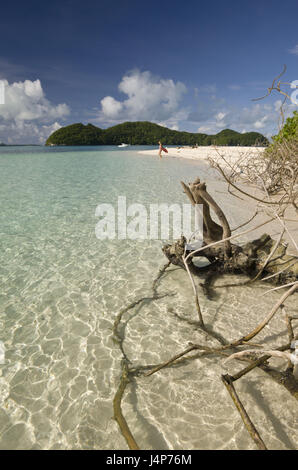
[{"x": 257, "y": 259}]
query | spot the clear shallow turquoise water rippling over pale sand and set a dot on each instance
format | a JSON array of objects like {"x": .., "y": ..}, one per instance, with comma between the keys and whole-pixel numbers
[{"x": 61, "y": 289}]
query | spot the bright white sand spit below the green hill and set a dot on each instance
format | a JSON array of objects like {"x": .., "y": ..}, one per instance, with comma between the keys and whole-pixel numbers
[{"x": 231, "y": 154}]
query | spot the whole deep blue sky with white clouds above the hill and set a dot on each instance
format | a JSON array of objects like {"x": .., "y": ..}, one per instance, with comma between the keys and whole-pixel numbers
[{"x": 189, "y": 65}]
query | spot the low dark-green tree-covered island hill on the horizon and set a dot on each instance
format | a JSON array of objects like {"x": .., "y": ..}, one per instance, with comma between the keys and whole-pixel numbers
[{"x": 147, "y": 133}]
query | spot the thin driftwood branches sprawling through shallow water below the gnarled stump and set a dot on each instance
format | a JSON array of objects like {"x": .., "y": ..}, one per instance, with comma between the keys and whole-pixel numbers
[{"x": 284, "y": 378}]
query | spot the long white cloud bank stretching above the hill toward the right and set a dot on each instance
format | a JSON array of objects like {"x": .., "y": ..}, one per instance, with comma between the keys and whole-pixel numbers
[{"x": 152, "y": 98}]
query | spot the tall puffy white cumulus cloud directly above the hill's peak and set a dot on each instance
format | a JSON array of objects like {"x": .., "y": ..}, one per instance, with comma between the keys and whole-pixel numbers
[{"x": 148, "y": 98}]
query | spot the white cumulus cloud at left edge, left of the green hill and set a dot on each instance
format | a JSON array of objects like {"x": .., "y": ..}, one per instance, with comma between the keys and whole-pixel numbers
[{"x": 26, "y": 114}]
